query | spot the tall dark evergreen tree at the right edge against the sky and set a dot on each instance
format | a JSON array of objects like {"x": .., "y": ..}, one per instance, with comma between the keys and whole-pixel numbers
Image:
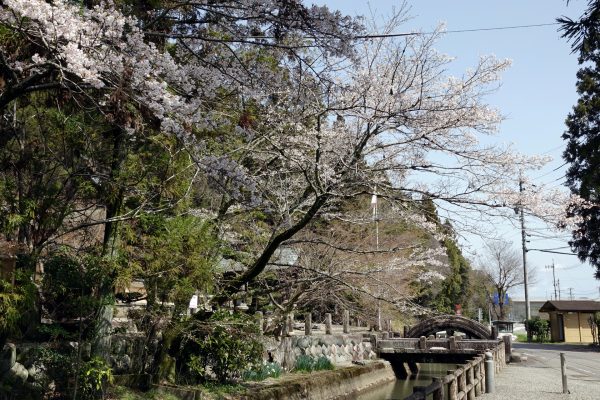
[{"x": 583, "y": 133}]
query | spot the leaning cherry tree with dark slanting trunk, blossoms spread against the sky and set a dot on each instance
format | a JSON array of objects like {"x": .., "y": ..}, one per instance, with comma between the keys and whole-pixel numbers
[{"x": 393, "y": 124}]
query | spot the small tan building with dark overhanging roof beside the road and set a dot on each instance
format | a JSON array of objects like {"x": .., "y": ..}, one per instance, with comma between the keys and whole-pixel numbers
[{"x": 570, "y": 320}]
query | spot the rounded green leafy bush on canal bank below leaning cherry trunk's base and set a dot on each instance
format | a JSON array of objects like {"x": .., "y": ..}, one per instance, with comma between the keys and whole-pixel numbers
[{"x": 220, "y": 348}]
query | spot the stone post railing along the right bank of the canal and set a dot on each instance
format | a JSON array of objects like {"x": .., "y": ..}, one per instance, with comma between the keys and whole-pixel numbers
[{"x": 466, "y": 382}]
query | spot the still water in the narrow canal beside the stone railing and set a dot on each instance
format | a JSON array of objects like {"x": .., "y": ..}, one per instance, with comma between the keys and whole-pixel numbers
[{"x": 400, "y": 389}]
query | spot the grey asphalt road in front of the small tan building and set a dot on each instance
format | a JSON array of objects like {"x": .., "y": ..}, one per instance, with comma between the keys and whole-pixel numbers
[{"x": 583, "y": 362}]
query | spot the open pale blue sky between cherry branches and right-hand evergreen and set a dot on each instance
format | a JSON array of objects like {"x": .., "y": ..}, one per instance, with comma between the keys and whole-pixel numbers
[{"x": 536, "y": 95}]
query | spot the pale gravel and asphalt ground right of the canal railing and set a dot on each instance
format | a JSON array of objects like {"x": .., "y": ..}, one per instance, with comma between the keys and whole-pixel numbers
[{"x": 539, "y": 378}]
